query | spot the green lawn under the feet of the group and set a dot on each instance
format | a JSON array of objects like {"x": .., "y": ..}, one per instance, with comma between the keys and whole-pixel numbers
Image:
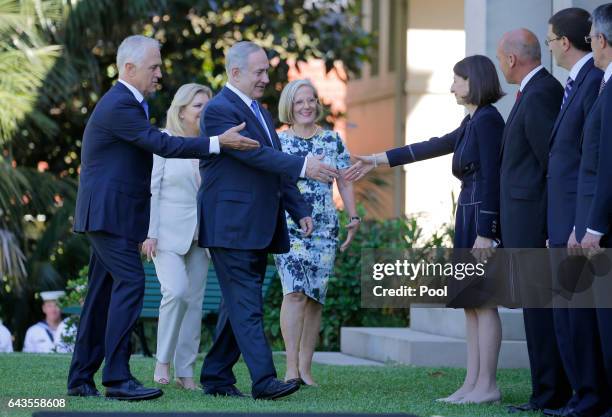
[{"x": 388, "y": 389}]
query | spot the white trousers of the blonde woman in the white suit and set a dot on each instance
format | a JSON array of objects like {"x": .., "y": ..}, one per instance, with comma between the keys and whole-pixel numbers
[{"x": 183, "y": 280}]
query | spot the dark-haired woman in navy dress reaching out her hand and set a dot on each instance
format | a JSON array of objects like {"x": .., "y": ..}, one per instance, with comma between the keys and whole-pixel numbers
[{"x": 475, "y": 146}]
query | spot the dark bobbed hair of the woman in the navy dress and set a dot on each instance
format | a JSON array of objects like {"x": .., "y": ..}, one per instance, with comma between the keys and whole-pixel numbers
[{"x": 482, "y": 78}]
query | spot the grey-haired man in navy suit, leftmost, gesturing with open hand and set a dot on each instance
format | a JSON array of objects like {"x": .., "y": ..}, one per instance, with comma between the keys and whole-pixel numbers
[{"x": 113, "y": 209}]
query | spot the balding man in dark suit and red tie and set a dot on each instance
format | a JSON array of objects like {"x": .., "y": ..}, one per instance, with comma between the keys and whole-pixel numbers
[{"x": 524, "y": 162}]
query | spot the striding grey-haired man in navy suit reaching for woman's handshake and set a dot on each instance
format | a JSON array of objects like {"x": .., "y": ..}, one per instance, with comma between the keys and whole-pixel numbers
[{"x": 242, "y": 201}]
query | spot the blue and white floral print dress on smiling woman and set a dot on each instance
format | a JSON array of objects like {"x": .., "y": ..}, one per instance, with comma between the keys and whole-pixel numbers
[{"x": 310, "y": 261}]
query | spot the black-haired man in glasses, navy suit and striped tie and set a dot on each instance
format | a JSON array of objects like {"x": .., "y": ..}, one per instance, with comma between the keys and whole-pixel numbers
[{"x": 575, "y": 328}]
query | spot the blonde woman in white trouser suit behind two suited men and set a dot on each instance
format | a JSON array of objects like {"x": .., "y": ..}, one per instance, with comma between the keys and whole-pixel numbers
[{"x": 180, "y": 264}]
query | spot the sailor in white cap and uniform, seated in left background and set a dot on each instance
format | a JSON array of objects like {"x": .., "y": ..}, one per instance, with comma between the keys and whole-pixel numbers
[{"x": 46, "y": 336}]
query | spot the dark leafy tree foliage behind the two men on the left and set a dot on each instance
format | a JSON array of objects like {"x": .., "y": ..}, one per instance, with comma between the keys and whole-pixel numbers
[{"x": 79, "y": 40}]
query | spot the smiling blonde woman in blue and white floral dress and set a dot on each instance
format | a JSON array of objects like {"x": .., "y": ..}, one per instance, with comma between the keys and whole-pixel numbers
[{"x": 305, "y": 270}]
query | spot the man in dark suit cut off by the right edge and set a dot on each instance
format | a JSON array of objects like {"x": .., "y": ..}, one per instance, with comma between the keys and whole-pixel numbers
[{"x": 594, "y": 206}]
